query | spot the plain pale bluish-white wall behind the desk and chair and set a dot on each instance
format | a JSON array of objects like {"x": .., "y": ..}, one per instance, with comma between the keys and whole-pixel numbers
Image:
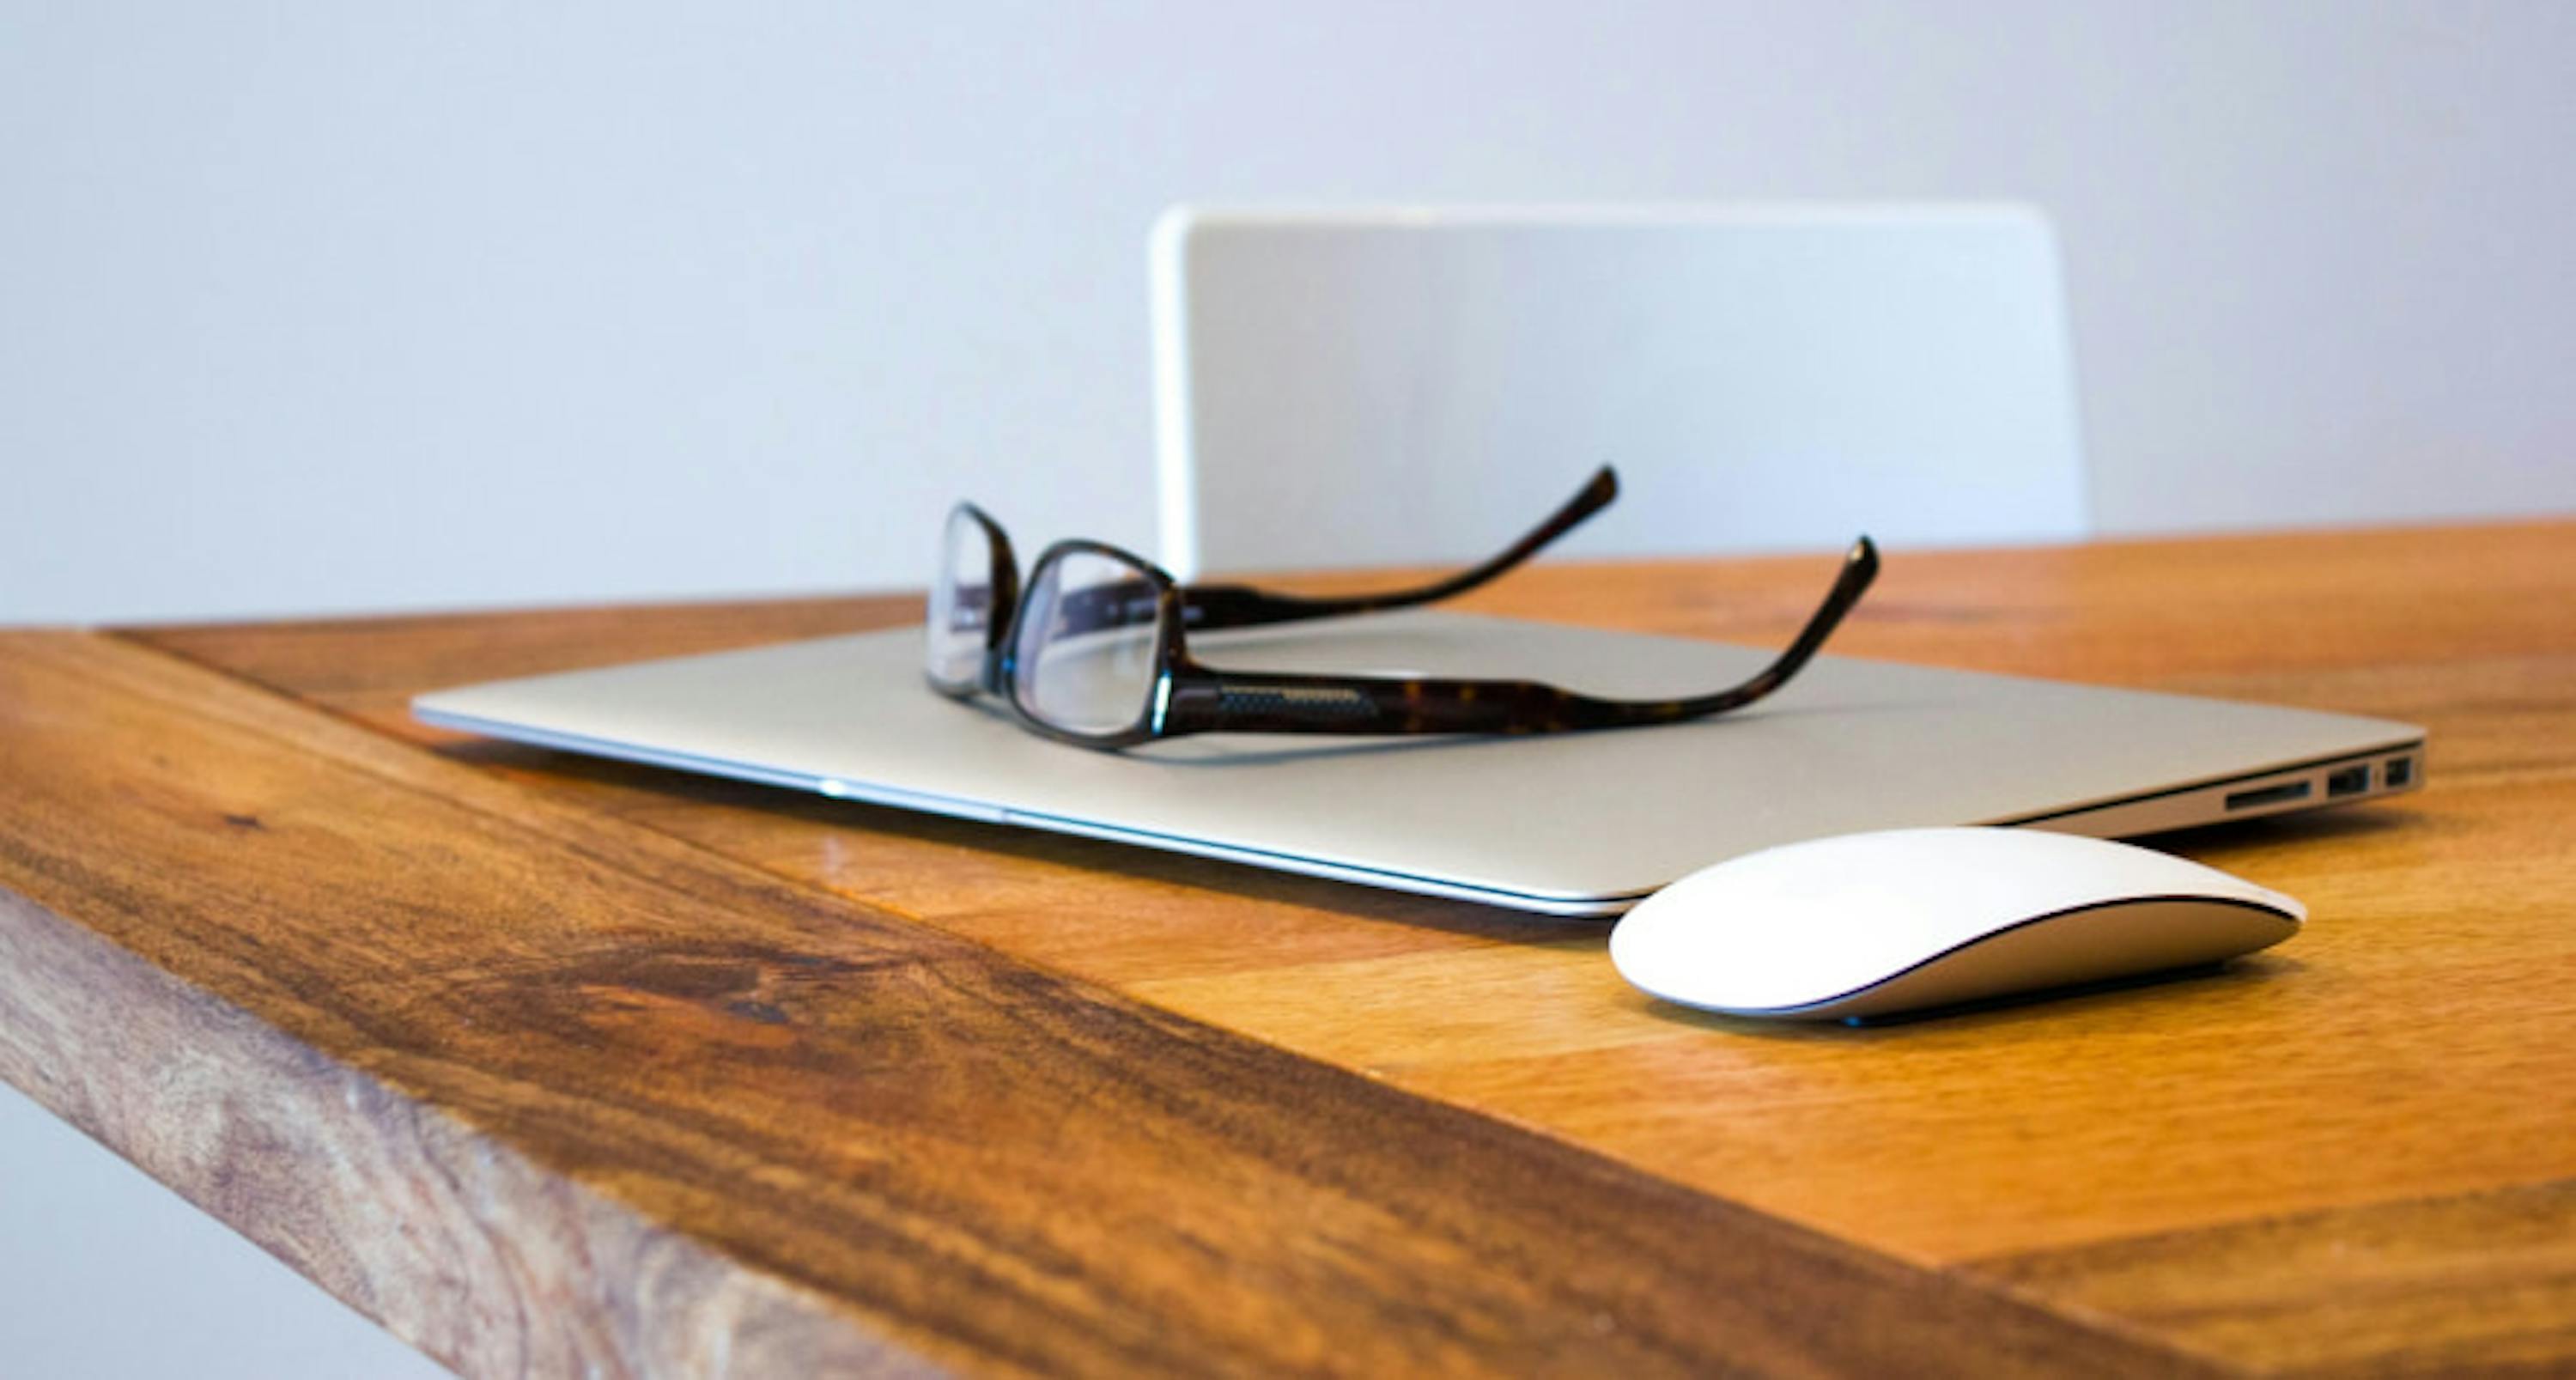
[{"x": 447, "y": 305}]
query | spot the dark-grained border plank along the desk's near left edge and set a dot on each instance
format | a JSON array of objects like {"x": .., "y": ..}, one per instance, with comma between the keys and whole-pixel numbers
[{"x": 560, "y": 1096}]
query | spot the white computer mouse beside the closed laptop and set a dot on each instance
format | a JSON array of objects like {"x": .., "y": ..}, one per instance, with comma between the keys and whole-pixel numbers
[{"x": 1869, "y": 926}]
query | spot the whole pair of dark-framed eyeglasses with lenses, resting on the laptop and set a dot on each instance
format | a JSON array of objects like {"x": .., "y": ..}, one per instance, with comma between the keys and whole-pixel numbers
[{"x": 1096, "y": 650}]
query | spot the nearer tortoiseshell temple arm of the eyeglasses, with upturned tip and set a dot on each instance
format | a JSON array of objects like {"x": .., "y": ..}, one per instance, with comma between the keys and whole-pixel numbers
[{"x": 1331, "y": 704}]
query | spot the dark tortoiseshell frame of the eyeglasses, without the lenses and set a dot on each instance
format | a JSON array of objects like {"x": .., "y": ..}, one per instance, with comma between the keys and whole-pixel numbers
[{"x": 1197, "y": 699}]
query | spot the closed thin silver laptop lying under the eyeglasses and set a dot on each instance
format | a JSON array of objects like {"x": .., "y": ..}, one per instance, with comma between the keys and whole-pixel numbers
[{"x": 1570, "y": 825}]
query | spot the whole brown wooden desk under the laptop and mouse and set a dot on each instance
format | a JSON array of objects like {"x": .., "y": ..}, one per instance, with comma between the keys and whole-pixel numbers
[{"x": 555, "y": 1065}]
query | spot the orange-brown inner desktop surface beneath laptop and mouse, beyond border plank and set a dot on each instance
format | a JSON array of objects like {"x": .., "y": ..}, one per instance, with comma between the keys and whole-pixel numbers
[{"x": 2407, "y": 1054}]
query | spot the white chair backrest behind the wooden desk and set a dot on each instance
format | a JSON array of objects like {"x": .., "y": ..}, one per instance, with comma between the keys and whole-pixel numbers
[{"x": 1421, "y": 385}]
